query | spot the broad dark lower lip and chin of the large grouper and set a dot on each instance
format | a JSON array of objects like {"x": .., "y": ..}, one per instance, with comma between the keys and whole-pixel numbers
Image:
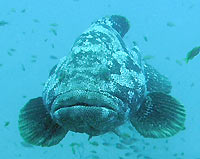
[{"x": 91, "y": 120}]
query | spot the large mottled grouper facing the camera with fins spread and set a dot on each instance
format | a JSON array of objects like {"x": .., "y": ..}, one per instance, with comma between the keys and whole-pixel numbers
[{"x": 97, "y": 87}]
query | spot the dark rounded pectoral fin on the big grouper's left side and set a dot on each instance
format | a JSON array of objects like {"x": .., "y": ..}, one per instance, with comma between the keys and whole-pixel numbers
[{"x": 36, "y": 125}]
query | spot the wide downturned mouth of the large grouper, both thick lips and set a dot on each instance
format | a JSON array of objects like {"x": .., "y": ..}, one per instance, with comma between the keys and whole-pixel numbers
[{"x": 88, "y": 112}]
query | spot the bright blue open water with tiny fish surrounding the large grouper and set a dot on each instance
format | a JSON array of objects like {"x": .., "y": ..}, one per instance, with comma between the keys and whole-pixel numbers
[{"x": 34, "y": 35}]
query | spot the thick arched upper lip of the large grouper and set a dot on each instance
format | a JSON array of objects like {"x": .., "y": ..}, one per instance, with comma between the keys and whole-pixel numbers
[{"x": 91, "y": 99}]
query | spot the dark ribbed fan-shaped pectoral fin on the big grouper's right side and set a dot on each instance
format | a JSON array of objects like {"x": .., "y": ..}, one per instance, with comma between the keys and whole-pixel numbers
[{"x": 159, "y": 116}]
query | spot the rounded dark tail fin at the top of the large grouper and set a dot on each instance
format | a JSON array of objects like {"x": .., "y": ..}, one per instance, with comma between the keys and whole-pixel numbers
[{"x": 117, "y": 22}]
